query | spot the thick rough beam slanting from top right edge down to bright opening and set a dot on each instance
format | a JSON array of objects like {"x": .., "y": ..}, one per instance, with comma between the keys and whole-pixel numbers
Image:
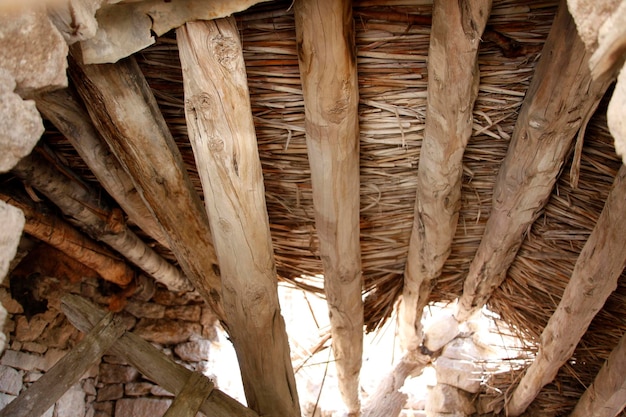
[{"x": 558, "y": 100}]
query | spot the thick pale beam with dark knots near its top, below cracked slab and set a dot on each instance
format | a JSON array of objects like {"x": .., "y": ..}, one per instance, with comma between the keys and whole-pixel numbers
[{"x": 221, "y": 131}]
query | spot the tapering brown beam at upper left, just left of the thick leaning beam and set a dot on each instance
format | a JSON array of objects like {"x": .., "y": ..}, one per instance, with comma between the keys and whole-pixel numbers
[{"x": 69, "y": 116}]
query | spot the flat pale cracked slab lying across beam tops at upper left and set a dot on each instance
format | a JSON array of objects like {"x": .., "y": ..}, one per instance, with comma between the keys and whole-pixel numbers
[{"x": 125, "y": 28}]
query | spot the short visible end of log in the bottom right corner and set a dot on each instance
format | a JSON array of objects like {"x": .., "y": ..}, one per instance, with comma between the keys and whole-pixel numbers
[{"x": 606, "y": 397}]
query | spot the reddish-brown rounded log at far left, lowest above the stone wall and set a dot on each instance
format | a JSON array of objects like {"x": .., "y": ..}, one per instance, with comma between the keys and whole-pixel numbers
[{"x": 61, "y": 235}]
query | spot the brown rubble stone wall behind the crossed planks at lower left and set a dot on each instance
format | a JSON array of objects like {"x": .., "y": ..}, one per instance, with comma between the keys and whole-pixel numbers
[{"x": 179, "y": 324}]
